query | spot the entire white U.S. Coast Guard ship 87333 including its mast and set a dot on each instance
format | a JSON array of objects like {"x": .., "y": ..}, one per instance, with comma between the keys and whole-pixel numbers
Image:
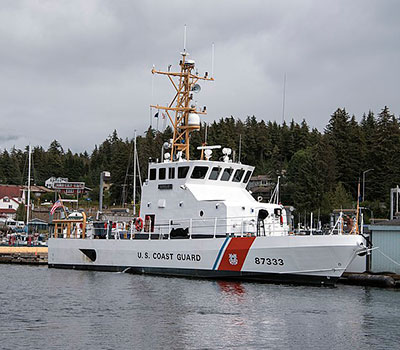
[{"x": 198, "y": 220}]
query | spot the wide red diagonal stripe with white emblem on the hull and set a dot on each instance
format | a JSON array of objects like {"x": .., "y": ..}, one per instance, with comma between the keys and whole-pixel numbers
[{"x": 236, "y": 252}]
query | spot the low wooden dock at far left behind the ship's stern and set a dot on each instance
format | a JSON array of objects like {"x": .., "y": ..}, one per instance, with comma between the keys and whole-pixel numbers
[{"x": 24, "y": 255}]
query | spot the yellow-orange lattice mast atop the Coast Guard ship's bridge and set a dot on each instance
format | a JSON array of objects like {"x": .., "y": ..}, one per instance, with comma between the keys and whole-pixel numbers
[{"x": 182, "y": 111}]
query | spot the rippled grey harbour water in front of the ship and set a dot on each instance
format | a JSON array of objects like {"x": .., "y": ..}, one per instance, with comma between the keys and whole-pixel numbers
[{"x": 43, "y": 308}]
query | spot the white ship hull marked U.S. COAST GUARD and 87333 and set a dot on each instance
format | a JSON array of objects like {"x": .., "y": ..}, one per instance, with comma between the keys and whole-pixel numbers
[{"x": 286, "y": 259}]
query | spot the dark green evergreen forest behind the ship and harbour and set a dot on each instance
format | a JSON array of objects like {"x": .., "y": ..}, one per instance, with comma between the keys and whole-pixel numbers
[{"x": 319, "y": 171}]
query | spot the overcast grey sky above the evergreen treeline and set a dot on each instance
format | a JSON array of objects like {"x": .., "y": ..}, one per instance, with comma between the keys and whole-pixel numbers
[{"x": 76, "y": 70}]
